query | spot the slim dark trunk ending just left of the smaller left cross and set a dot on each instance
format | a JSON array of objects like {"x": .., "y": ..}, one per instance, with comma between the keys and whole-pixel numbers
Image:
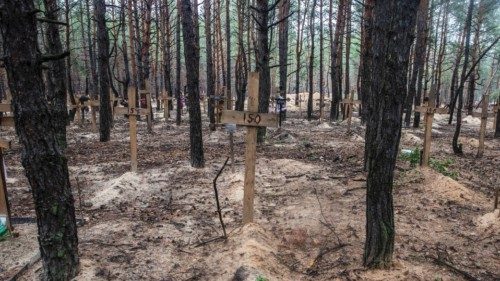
[{"x": 105, "y": 117}]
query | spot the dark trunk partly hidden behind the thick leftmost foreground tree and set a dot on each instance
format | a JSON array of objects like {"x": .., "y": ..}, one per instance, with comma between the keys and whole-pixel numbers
[{"x": 56, "y": 81}]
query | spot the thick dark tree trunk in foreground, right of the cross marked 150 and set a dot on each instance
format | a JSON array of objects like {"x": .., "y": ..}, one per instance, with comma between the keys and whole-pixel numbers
[{"x": 392, "y": 35}]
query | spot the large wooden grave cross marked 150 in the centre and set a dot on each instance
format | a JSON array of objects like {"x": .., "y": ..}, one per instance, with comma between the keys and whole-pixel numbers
[{"x": 251, "y": 119}]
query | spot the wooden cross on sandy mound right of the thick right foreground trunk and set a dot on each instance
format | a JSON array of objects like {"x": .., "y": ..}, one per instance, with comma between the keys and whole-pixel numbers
[{"x": 429, "y": 108}]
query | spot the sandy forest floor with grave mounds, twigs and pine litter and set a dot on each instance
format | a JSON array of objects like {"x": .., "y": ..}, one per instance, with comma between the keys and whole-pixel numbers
[{"x": 160, "y": 223}]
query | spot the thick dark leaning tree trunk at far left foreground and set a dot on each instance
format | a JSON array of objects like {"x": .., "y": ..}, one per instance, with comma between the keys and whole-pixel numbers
[{"x": 45, "y": 165}]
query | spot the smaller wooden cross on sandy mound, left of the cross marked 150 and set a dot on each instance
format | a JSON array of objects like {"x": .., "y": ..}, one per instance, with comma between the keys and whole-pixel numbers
[{"x": 132, "y": 113}]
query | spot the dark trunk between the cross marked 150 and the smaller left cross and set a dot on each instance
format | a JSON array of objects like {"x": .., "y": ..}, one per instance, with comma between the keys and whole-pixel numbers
[{"x": 192, "y": 58}]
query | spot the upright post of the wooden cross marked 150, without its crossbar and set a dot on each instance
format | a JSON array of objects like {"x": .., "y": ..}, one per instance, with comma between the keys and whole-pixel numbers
[{"x": 250, "y": 150}]
